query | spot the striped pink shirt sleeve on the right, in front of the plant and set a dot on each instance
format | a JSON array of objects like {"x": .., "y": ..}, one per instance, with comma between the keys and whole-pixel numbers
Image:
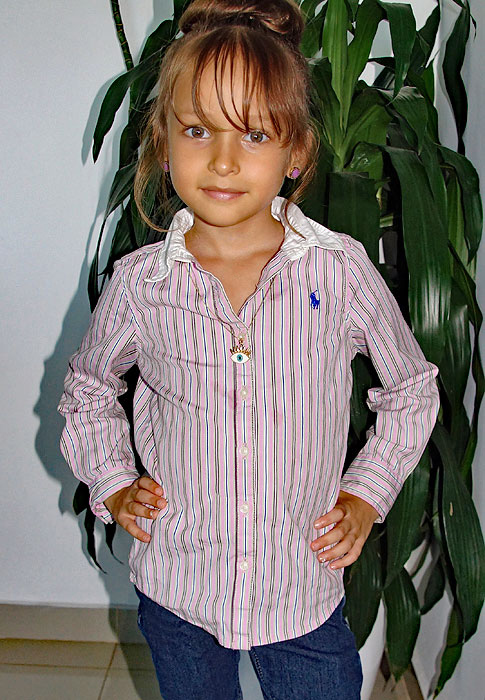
[{"x": 407, "y": 403}]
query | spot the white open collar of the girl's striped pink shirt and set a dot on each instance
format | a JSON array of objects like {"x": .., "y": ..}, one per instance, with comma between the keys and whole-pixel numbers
[{"x": 307, "y": 233}]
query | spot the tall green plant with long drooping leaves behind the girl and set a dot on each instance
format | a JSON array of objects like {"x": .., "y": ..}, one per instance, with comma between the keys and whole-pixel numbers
[{"x": 384, "y": 178}]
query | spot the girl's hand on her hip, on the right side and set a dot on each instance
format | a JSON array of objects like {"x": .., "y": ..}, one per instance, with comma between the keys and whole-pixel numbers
[{"x": 352, "y": 519}]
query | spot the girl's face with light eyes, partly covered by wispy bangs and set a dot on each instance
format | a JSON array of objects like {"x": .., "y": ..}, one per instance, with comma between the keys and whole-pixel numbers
[{"x": 227, "y": 177}]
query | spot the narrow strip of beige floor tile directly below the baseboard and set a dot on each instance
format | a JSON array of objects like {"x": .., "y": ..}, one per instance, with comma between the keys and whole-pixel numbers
[{"x": 60, "y": 654}]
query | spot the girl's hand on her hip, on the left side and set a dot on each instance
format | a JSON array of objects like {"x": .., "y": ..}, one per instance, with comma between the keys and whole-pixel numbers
[{"x": 144, "y": 497}]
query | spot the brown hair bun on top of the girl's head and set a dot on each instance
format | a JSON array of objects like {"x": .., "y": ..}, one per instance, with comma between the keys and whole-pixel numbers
[{"x": 282, "y": 17}]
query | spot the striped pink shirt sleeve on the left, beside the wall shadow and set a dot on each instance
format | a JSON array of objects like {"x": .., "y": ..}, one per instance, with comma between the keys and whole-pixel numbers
[{"x": 96, "y": 439}]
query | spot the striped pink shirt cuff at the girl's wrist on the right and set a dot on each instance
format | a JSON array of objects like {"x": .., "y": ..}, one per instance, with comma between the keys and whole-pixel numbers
[{"x": 374, "y": 483}]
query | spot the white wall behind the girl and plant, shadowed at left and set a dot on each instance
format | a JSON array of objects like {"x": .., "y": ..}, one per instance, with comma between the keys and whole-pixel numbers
[{"x": 57, "y": 59}]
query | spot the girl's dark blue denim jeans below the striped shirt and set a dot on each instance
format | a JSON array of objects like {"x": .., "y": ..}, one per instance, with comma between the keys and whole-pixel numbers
[{"x": 191, "y": 664}]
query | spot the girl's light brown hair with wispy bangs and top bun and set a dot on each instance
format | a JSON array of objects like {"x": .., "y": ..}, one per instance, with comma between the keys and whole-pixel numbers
[{"x": 265, "y": 35}]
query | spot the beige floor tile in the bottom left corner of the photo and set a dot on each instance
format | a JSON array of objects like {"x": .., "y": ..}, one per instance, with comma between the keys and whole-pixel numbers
[{"x": 47, "y": 683}]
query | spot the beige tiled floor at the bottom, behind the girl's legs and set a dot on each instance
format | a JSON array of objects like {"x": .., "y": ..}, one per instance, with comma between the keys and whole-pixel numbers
[{"x": 49, "y": 670}]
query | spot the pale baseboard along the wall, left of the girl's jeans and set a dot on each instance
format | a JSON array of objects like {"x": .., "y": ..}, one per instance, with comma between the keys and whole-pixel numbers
[{"x": 69, "y": 624}]
